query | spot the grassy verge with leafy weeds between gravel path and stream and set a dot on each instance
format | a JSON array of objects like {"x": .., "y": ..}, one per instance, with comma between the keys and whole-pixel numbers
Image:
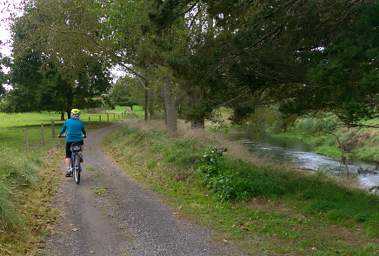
[{"x": 262, "y": 210}]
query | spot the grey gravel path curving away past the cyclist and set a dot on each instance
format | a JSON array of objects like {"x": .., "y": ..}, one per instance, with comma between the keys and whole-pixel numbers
[{"x": 109, "y": 214}]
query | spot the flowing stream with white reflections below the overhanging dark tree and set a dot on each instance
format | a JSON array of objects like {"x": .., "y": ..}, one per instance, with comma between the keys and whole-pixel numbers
[{"x": 299, "y": 154}]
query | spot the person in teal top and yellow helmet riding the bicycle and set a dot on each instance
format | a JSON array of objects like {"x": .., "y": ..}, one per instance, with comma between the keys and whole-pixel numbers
[{"x": 75, "y": 132}]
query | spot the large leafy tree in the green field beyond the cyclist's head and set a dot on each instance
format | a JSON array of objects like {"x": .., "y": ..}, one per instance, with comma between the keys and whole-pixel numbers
[{"x": 47, "y": 76}]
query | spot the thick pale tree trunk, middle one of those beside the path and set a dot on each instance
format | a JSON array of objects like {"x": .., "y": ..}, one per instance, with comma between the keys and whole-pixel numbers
[{"x": 169, "y": 106}]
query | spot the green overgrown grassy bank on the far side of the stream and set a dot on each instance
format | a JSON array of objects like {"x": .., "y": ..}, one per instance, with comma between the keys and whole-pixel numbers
[{"x": 321, "y": 133}]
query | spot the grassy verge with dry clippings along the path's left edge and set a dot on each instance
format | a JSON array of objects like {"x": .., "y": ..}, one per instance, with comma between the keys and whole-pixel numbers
[{"x": 29, "y": 214}]
